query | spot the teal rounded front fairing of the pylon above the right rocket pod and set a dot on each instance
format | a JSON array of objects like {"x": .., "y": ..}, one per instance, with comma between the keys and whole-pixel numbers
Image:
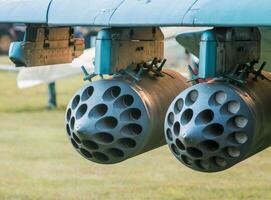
[{"x": 207, "y": 57}]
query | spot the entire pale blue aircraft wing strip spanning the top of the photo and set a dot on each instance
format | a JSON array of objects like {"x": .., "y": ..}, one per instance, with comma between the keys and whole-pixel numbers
[{"x": 137, "y": 12}]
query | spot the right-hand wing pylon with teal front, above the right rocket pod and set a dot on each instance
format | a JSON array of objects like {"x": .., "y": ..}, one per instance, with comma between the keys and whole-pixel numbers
[{"x": 222, "y": 49}]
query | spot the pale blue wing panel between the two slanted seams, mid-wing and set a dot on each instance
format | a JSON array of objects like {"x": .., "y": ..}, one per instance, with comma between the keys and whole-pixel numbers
[{"x": 151, "y": 12}]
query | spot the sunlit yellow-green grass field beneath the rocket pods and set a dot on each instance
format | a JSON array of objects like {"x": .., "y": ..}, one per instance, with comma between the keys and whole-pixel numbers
[{"x": 37, "y": 161}]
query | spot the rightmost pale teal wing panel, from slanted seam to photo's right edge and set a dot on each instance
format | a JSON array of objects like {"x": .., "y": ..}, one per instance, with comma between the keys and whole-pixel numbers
[{"x": 229, "y": 13}]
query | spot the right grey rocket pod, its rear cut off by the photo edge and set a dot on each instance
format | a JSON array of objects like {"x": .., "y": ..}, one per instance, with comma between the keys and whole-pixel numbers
[{"x": 212, "y": 126}]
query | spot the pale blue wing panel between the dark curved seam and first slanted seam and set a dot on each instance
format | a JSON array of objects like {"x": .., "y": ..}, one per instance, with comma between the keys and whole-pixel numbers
[{"x": 83, "y": 12}]
